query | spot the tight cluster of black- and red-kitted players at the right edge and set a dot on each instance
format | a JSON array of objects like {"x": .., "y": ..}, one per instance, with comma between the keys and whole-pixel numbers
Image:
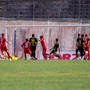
[{"x": 83, "y": 46}]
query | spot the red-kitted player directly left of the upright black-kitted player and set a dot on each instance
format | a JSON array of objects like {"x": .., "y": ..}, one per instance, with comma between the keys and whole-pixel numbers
[{"x": 26, "y": 46}]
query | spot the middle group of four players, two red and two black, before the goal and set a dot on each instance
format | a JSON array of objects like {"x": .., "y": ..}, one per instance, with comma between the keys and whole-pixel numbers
[{"x": 31, "y": 44}]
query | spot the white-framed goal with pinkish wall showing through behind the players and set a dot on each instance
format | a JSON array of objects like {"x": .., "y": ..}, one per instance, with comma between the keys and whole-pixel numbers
[{"x": 50, "y": 32}]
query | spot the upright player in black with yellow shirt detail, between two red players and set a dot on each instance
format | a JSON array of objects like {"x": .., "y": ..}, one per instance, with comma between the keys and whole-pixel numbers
[{"x": 33, "y": 42}]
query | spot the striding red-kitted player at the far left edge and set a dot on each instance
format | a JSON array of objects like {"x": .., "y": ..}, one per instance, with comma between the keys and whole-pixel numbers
[{"x": 3, "y": 45}]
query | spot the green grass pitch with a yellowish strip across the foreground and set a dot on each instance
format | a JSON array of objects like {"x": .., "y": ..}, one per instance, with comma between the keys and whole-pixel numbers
[{"x": 44, "y": 75}]
